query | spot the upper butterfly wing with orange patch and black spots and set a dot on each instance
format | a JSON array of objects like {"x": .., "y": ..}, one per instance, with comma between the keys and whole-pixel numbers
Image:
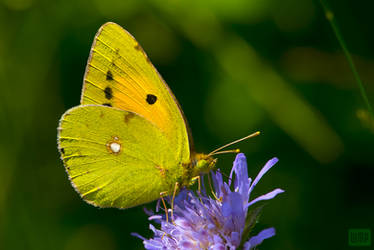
[{"x": 119, "y": 74}]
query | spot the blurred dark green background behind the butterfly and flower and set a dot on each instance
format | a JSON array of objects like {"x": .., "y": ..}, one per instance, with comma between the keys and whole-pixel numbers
[{"x": 236, "y": 67}]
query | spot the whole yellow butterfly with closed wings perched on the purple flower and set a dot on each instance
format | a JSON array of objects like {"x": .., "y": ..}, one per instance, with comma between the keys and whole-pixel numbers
[{"x": 128, "y": 142}]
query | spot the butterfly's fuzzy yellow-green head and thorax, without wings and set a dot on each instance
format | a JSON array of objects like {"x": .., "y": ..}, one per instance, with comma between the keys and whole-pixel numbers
[{"x": 199, "y": 164}]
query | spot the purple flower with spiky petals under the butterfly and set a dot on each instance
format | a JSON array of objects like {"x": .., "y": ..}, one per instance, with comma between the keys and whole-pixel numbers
[{"x": 223, "y": 222}]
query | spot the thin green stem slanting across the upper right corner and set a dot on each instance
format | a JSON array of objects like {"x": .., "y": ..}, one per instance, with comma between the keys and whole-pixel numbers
[{"x": 330, "y": 17}]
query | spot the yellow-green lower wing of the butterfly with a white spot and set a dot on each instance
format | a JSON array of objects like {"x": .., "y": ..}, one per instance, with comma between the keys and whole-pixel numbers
[{"x": 116, "y": 158}]
